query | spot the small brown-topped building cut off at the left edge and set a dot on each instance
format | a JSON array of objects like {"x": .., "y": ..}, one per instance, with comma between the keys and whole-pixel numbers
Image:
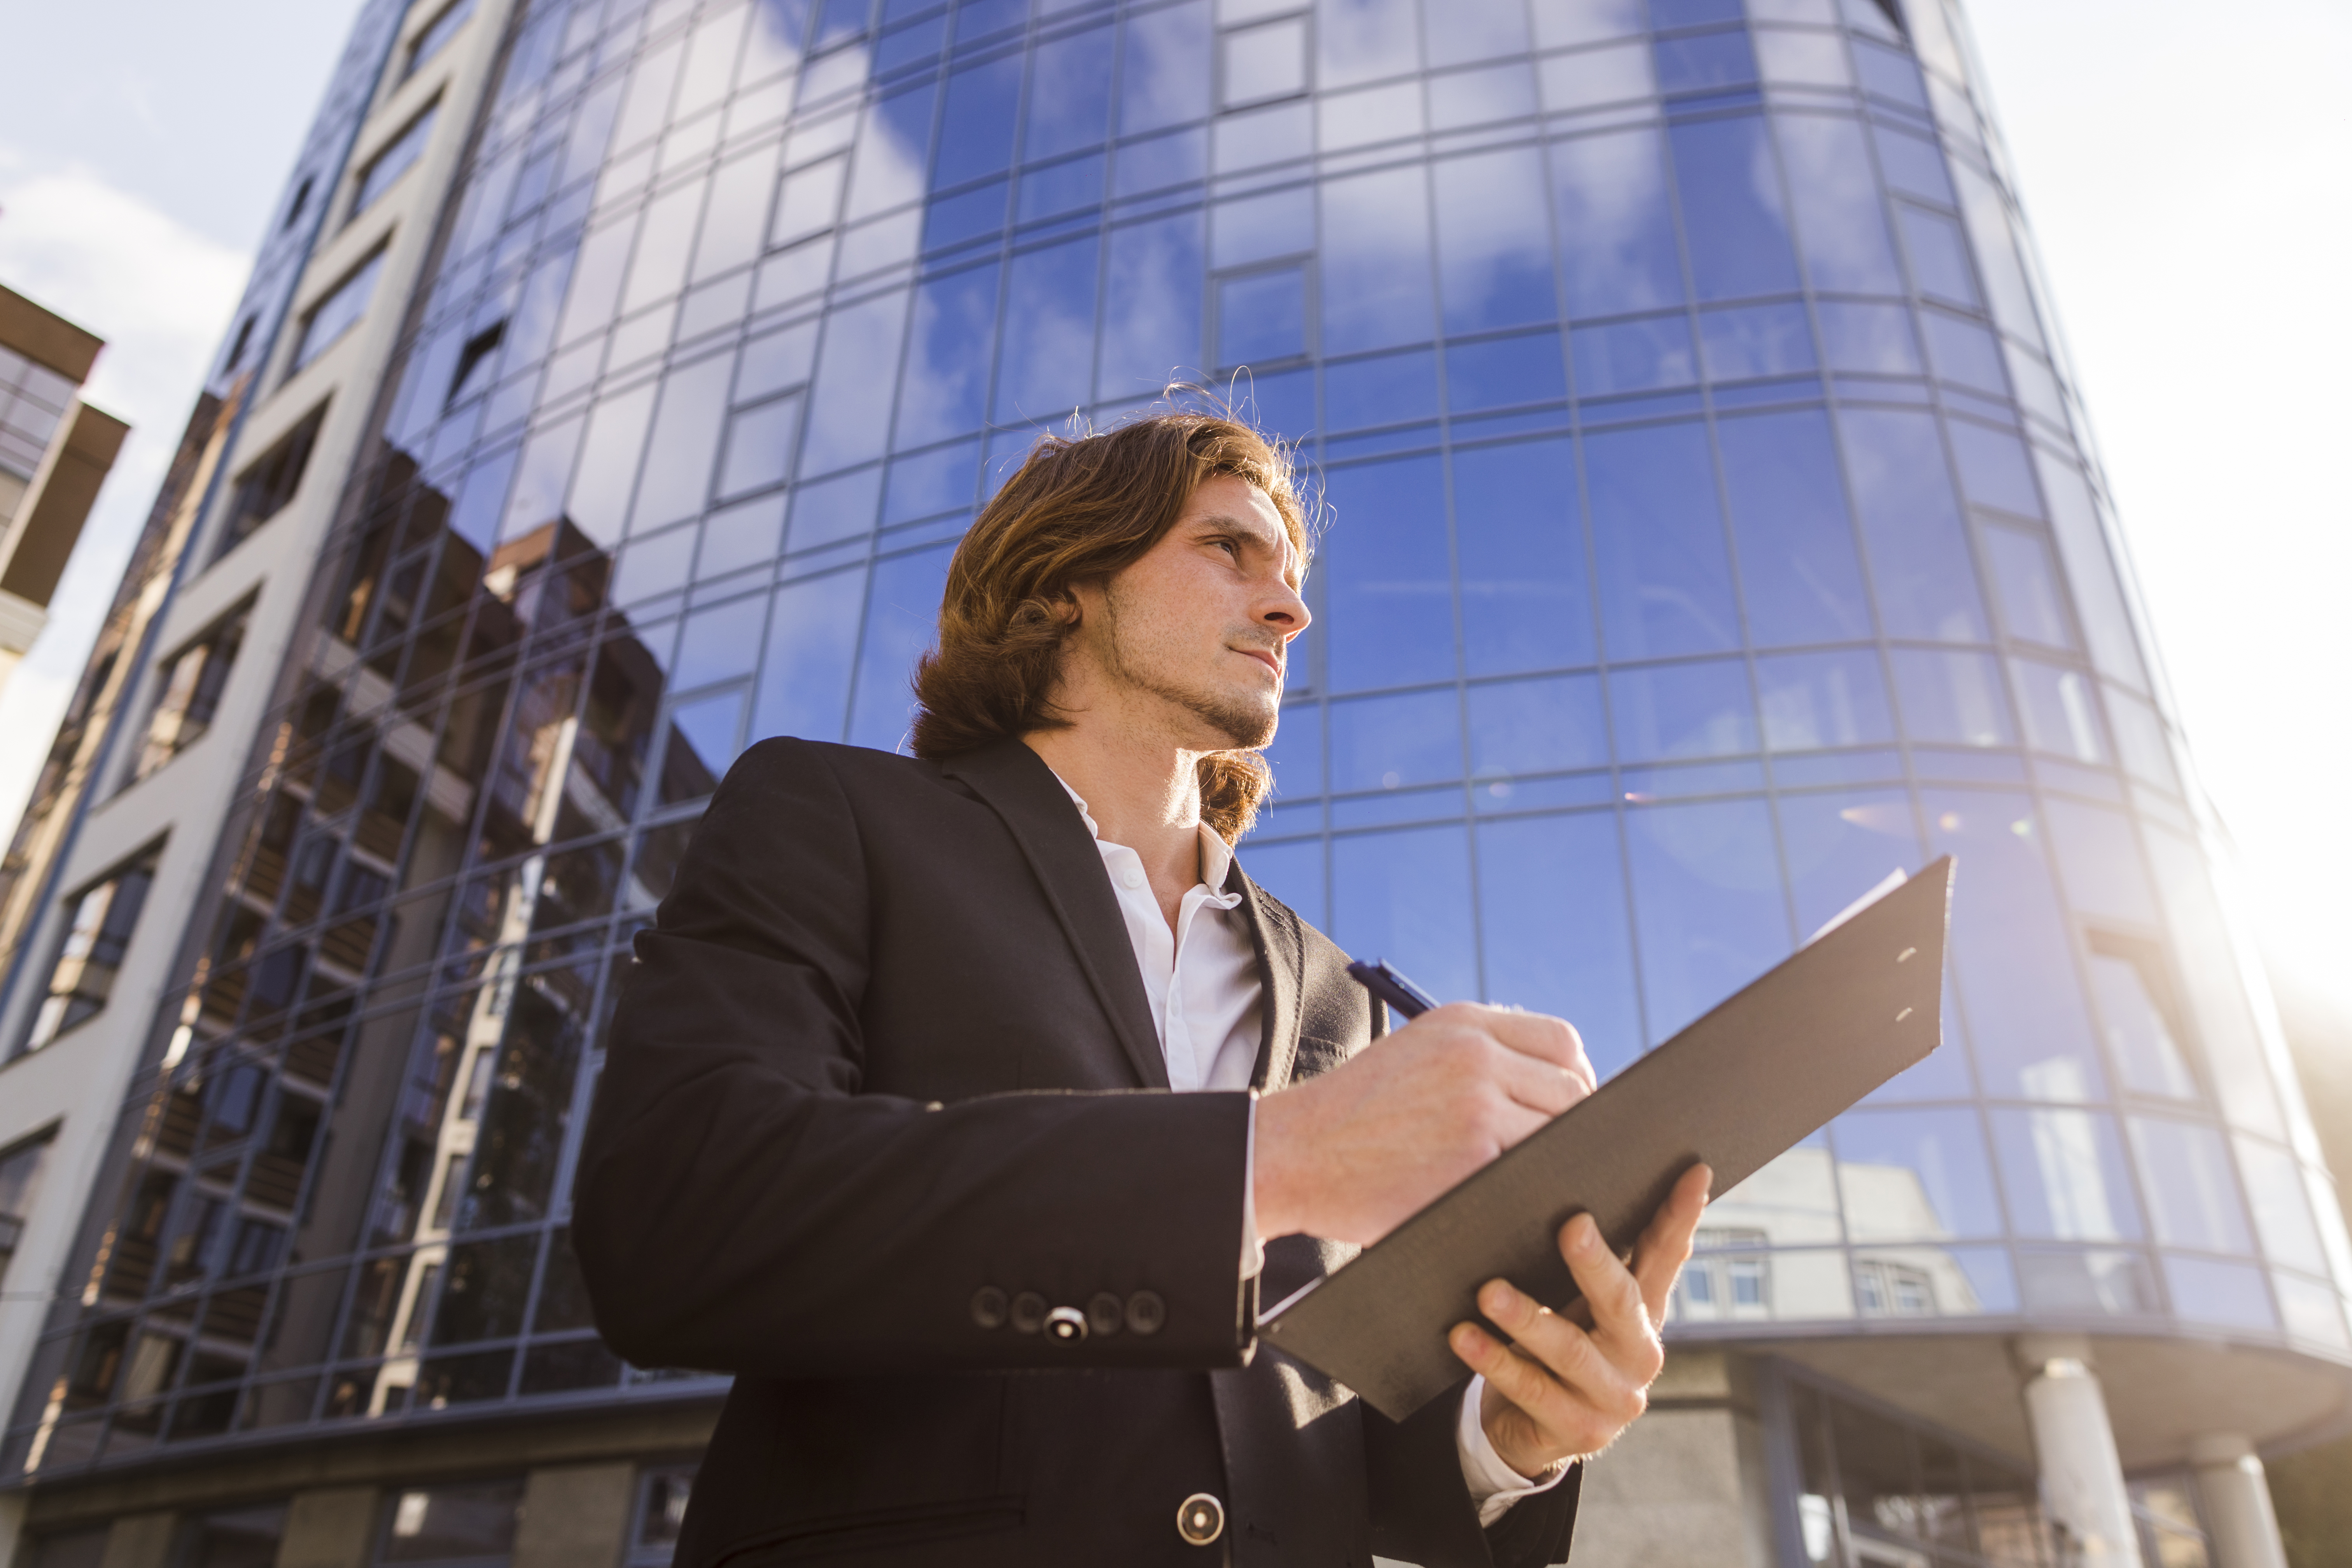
[{"x": 55, "y": 453}]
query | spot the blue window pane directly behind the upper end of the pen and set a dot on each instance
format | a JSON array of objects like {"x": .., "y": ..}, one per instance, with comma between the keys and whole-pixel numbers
[{"x": 1405, "y": 897}]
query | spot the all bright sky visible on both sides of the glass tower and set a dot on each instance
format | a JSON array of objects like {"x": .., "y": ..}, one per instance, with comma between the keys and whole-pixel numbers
[{"x": 2181, "y": 163}]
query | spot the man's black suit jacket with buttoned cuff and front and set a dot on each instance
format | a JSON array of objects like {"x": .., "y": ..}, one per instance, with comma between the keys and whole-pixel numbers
[{"x": 883, "y": 1071}]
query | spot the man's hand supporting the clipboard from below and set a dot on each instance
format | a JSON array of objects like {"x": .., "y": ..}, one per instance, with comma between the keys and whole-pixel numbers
[{"x": 1563, "y": 1391}]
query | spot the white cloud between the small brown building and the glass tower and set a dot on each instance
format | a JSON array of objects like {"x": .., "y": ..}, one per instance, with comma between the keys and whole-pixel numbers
[{"x": 161, "y": 297}]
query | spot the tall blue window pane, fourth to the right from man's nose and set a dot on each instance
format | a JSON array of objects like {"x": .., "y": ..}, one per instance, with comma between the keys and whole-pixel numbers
[{"x": 1789, "y": 514}]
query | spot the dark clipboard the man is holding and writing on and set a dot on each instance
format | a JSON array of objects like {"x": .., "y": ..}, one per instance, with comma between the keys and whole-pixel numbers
[{"x": 1751, "y": 1080}]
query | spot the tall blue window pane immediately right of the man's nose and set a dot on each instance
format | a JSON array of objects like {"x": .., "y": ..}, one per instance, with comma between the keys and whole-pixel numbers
[{"x": 1387, "y": 577}]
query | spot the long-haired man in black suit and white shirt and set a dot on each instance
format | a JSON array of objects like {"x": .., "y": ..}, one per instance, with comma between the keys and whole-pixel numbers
[{"x": 965, "y": 1106}]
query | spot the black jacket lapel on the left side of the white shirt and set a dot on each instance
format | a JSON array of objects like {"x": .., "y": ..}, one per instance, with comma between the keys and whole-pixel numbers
[{"x": 1038, "y": 812}]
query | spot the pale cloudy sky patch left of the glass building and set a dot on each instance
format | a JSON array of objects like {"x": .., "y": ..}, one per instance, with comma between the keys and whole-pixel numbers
[{"x": 138, "y": 173}]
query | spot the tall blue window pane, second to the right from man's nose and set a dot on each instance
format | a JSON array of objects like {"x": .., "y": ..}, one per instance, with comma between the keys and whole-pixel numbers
[{"x": 1528, "y": 603}]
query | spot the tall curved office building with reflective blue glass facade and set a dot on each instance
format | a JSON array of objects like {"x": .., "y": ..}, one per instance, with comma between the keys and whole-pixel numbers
[{"x": 1716, "y": 530}]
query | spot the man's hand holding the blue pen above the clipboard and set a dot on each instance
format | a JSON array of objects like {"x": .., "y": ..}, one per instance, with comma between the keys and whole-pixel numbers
[{"x": 1358, "y": 1151}]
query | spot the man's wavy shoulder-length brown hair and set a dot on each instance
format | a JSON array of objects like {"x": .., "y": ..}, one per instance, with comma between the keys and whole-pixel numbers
[{"x": 1081, "y": 511}]
